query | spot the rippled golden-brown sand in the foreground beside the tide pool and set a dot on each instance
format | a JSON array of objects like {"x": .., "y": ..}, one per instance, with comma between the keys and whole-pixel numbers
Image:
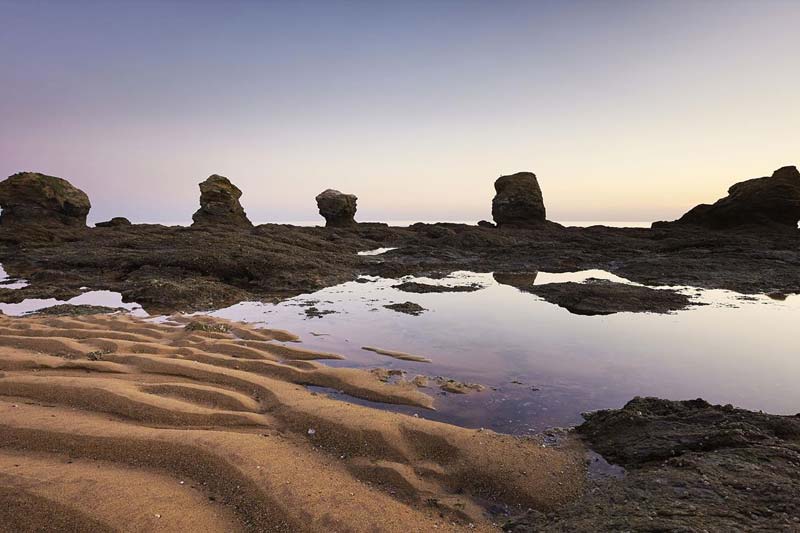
[{"x": 114, "y": 423}]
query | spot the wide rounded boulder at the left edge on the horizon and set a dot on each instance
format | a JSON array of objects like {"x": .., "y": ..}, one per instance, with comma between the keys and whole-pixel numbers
[{"x": 31, "y": 198}]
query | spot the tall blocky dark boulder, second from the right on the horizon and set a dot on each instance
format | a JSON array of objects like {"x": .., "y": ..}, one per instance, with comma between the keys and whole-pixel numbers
[{"x": 518, "y": 202}]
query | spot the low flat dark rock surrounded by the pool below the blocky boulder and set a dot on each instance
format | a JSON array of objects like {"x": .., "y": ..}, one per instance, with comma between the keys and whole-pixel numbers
[{"x": 603, "y": 297}]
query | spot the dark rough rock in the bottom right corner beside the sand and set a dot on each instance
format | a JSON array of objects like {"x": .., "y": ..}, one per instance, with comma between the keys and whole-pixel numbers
[{"x": 691, "y": 466}]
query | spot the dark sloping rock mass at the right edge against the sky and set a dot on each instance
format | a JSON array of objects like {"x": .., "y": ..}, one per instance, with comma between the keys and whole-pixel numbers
[{"x": 760, "y": 201}]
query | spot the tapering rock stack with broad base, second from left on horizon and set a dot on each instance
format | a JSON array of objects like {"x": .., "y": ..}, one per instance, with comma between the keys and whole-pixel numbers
[{"x": 219, "y": 204}]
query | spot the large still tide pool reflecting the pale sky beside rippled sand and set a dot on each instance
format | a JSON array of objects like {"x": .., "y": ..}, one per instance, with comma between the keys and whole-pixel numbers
[{"x": 543, "y": 365}]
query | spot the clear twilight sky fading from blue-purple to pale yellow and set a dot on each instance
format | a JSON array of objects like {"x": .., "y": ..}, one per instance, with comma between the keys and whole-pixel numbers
[{"x": 625, "y": 110}]
